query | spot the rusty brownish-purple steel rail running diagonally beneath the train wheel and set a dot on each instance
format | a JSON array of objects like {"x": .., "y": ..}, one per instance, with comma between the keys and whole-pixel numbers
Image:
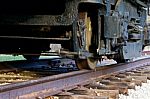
[{"x": 52, "y": 85}]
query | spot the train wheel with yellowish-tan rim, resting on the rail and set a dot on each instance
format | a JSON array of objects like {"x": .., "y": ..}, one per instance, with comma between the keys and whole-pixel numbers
[{"x": 89, "y": 62}]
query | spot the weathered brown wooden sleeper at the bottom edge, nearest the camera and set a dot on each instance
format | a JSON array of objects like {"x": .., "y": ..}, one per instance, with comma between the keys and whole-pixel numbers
[{"x": 85, "y": 93}]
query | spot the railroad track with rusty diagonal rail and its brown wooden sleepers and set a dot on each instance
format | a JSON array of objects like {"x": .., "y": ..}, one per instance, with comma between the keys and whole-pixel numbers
[{"x": 108, "y": 82}]
